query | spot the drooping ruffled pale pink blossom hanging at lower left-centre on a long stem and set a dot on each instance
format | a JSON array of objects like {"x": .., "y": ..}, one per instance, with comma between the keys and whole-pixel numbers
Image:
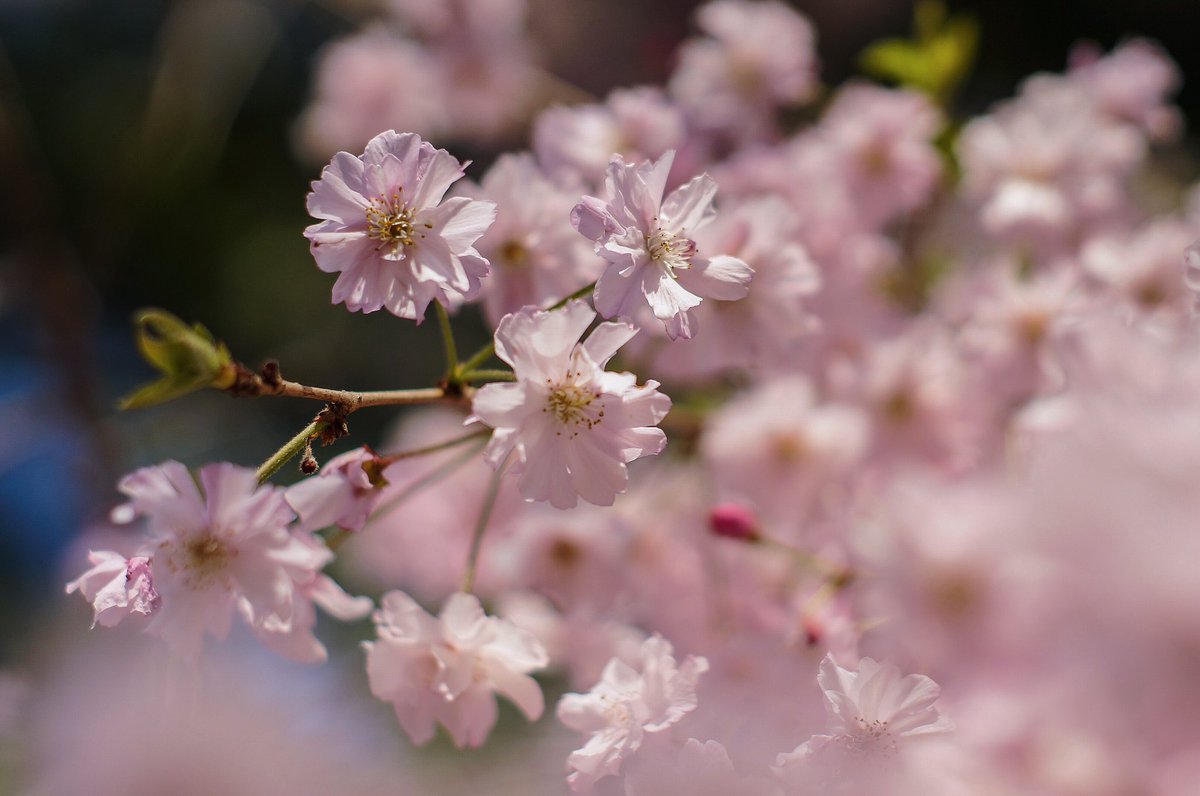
[{"x": 446, "y": 671}]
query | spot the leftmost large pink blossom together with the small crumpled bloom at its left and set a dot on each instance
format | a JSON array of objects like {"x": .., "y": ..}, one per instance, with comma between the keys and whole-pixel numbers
[{"x": 214, "y": 553}]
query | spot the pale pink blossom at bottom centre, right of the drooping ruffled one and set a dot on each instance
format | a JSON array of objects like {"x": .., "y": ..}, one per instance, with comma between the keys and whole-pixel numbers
[{"x": 626, "y": 705}]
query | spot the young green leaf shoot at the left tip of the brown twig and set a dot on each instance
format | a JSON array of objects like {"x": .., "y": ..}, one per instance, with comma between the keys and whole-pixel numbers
[{"x": 188, "y": 357}]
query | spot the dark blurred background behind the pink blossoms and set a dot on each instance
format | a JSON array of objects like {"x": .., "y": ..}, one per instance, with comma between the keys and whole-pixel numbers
[{"x": 147, "y": 158}]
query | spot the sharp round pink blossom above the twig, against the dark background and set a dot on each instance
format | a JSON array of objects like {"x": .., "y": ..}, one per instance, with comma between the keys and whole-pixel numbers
[{"x": 387, "y": 230}]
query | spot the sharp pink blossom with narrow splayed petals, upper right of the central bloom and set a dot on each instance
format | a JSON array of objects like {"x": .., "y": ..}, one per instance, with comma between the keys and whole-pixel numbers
[{"x": 649, "y": 246}]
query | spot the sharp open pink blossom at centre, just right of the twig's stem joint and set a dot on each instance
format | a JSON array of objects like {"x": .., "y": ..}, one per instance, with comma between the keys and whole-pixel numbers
[{"x": 573, "y": 426}]
